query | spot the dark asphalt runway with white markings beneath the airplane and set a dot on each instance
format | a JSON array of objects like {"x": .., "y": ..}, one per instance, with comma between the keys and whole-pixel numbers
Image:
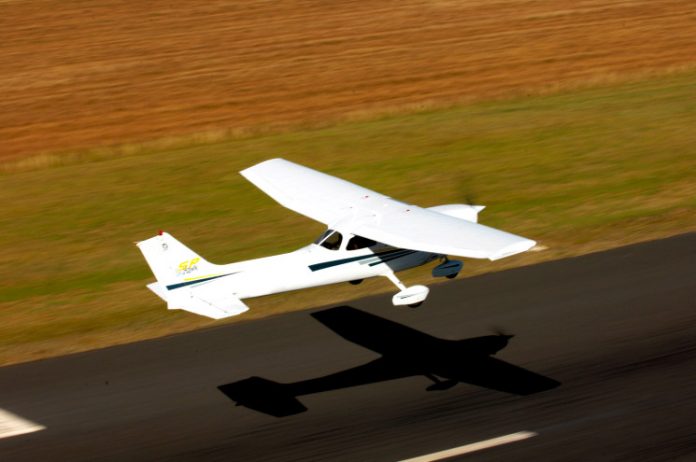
[{"x": 602, "y": 366}]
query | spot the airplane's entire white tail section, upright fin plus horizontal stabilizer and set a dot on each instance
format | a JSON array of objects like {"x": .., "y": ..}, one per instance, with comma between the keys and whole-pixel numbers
[{"x": 187, "y": 281}]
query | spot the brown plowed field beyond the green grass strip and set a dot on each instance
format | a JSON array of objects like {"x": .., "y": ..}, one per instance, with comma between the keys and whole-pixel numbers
[{"x": 86, "y": 73}]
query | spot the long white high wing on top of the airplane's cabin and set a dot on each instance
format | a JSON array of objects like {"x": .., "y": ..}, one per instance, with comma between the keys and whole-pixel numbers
[{"x": 348, "y": 207}]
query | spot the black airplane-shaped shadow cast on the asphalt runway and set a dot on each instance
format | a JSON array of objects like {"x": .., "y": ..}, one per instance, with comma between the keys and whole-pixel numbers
[{"x": 404, "y": 352}]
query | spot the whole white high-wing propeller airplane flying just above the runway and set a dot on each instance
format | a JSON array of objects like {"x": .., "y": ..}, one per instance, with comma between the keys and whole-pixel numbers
[{"x": 369, "y": 234}]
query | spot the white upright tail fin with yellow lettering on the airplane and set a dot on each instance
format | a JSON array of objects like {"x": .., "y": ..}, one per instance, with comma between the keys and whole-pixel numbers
[{"x": 172, "y": 262}]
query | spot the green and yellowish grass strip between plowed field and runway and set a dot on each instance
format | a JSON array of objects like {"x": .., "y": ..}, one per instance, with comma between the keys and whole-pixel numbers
[{"x": 578, "y": 171}]
